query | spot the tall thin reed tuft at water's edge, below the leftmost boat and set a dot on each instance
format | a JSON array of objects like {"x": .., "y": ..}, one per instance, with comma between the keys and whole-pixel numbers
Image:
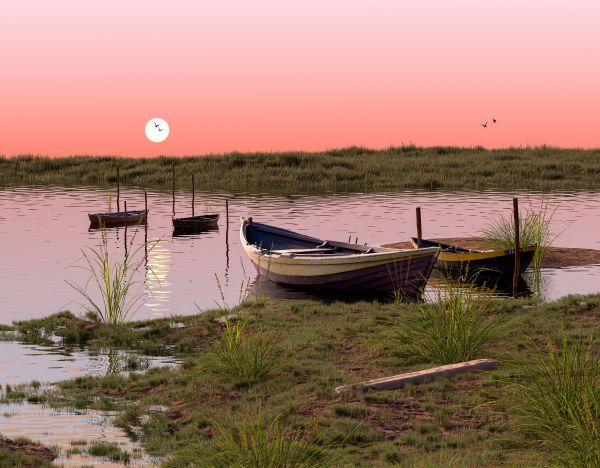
[{"x": 120, "y": 294}]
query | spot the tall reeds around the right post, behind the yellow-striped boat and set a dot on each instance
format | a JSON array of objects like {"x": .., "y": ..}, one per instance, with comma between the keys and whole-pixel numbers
[{"x": 535, "y": 227}]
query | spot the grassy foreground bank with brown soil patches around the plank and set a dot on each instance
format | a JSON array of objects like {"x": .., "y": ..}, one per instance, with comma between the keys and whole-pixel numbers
[{"x": 283, "y": 403}]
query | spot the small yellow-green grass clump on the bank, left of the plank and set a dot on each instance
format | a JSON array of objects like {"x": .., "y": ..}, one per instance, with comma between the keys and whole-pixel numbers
[{"x": 239, "y": 356}]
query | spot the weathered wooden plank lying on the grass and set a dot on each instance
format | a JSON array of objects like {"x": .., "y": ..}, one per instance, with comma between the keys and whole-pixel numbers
[{"x": 397, "y": 381}]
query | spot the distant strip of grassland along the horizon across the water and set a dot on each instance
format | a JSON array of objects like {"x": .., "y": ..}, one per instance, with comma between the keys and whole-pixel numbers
[{"x": 340, "y": 170}]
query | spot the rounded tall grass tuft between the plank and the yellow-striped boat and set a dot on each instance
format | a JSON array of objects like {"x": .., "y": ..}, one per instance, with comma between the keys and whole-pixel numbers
[{"x": 457, "y": 326}]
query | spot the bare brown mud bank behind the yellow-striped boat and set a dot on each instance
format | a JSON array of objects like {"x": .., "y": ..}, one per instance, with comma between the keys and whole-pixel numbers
[{"x": 554, "y": 257}]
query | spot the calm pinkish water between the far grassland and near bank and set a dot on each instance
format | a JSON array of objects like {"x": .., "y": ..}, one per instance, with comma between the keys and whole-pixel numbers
[{"x": 43, "y": 231}]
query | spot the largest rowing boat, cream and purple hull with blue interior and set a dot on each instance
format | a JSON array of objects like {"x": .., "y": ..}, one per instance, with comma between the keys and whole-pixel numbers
[{"x": 297, "y": 260}]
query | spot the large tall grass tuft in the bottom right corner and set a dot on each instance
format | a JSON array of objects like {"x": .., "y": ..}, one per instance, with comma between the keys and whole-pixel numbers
[{"x": 557, "y": 400}]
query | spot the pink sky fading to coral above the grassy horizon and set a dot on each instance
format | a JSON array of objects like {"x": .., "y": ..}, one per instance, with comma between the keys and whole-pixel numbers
[{"x": 80, "y": 77}]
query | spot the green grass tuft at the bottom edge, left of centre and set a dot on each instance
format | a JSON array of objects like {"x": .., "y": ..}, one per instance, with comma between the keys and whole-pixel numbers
[{"x": 254, "y": 444}]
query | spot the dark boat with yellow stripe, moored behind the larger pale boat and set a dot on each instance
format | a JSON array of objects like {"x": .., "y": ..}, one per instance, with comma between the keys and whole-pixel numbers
[{"x": 481, "y": 265}]
